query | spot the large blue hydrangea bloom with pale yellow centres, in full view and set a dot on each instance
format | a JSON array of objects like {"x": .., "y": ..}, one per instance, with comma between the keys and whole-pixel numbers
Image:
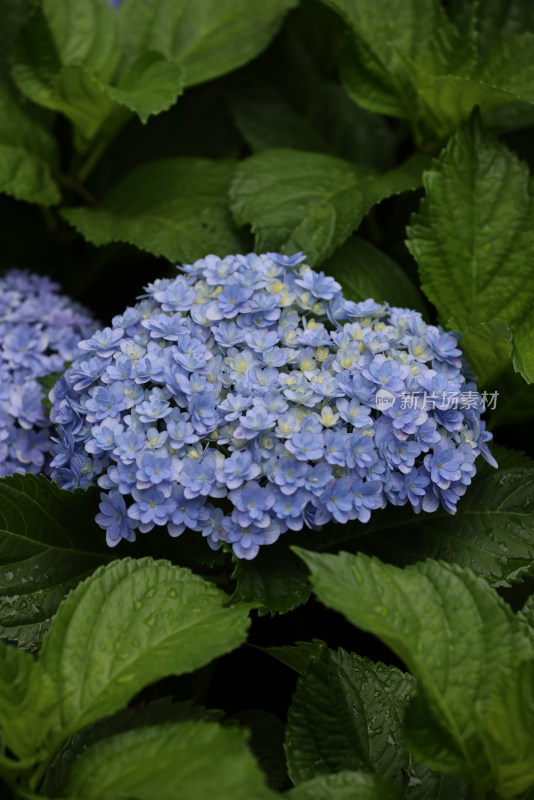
[{"x": 242, "y": 399}]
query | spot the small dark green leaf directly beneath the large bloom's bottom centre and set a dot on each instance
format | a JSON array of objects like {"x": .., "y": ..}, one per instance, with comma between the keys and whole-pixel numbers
[{"x": 275, "y": 581}]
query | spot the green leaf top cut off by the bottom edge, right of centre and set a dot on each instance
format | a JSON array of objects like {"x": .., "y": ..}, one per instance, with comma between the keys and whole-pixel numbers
[{"x": 345, "y": 786}]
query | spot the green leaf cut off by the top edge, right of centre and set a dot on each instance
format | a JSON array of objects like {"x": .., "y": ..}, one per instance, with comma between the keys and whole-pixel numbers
[{"x": 394, "y": 52}]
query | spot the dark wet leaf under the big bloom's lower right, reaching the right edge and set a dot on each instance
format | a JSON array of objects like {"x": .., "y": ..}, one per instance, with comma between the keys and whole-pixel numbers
[{"x": 492, "y": 531}]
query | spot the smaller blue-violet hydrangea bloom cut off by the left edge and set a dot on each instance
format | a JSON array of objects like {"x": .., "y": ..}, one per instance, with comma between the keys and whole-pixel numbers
[{"x": 39, "y": 332}]
